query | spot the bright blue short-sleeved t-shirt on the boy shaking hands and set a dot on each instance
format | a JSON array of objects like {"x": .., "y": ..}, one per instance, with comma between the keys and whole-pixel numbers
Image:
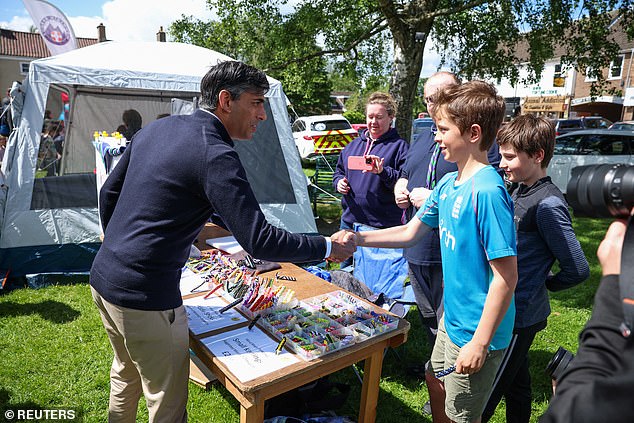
[{"x": 475, "y": 223}]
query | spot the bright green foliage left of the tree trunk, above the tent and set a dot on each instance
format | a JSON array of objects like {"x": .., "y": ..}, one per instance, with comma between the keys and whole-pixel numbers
[{"x": 284, "y": 44}]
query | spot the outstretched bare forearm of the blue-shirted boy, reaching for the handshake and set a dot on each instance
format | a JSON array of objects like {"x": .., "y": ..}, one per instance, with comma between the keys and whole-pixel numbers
[{"x": 396, "y": 237}]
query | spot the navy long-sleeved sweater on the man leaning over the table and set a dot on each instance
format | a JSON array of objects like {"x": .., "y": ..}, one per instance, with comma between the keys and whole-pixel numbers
[{"x": 176, "y": 172}]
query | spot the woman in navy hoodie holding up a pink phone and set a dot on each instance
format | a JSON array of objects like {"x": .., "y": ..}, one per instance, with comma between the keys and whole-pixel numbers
[{"x": 369, "y": 167}]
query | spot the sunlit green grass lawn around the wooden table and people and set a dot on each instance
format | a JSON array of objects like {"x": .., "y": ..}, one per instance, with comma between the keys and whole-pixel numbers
[{"x": 55, "y": 354}]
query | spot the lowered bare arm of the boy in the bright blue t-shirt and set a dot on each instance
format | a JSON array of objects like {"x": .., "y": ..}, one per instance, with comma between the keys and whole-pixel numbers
[{"x": 473, "y": 353}]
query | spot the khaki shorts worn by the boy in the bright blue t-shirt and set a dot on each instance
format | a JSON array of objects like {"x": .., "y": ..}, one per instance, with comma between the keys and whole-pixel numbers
[{"x": 466, "y": 395}]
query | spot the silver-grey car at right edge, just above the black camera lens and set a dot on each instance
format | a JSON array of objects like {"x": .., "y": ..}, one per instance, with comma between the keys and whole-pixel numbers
[{"x": 589, "y": 147}]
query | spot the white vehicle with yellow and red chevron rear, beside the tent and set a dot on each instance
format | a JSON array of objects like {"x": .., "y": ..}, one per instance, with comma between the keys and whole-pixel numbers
[{"x": 323, "y": 134}]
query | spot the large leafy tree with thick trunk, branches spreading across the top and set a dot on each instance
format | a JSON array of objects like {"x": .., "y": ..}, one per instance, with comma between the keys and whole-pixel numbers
[{"x": 475, "y": 37}]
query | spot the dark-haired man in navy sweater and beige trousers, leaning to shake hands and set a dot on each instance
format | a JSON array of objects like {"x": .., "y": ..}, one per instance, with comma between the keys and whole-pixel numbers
[{"x": 171, "y": 178}]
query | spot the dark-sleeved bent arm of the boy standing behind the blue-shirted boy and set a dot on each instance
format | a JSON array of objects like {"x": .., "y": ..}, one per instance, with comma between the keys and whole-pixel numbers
[{"x": 555, "y": 227}]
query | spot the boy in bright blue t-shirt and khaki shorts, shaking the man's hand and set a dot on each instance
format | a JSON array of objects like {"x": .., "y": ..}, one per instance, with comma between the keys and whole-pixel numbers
[{"x": 474, "y": 215}]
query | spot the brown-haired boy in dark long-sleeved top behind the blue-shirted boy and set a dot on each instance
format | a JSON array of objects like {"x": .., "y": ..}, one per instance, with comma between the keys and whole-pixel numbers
[{"x": 544, "y": 235}]
